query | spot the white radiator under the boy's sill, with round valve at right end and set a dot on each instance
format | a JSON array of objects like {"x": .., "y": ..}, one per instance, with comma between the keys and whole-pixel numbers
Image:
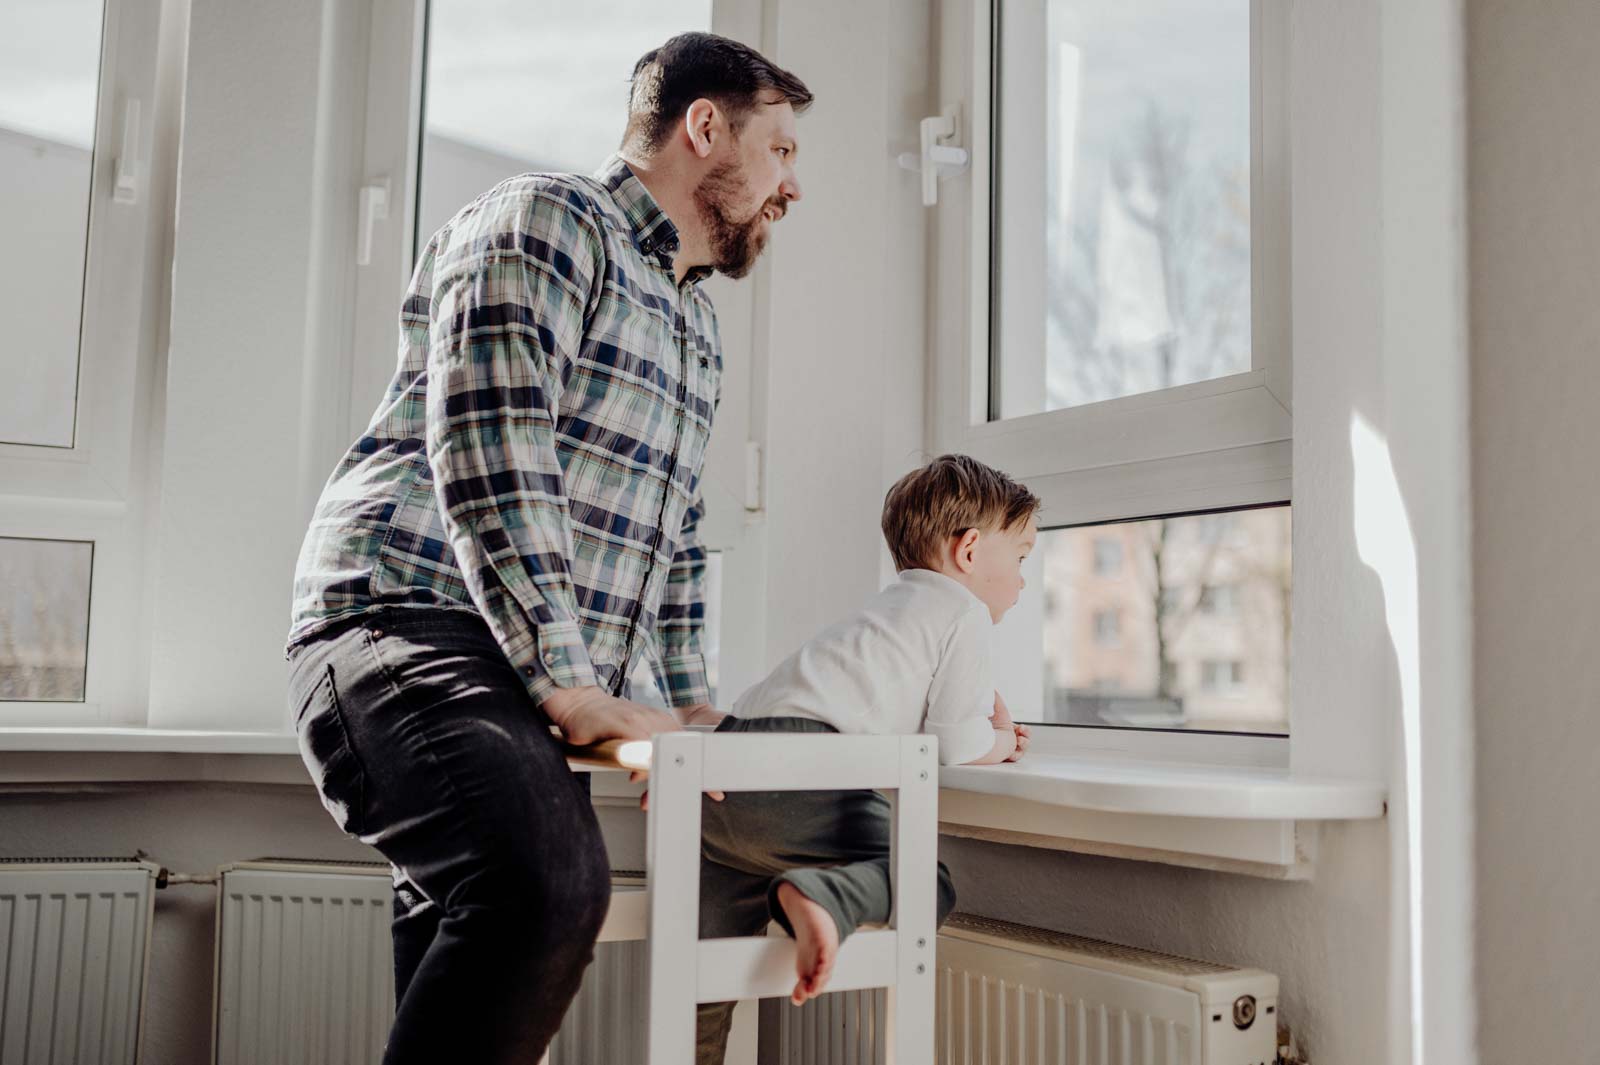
[{"x": 1026, "y": 997}]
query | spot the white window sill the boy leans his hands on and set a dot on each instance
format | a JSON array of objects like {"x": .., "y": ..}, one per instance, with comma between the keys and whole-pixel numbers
[{"x": 1242, "y": 820}]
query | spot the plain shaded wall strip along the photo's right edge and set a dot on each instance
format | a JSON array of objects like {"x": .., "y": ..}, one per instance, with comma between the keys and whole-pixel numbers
[{"x": 1534, "y": 158}]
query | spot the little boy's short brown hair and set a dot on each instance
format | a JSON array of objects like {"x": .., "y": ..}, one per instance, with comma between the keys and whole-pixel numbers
[{"x": 946, "y": 498}]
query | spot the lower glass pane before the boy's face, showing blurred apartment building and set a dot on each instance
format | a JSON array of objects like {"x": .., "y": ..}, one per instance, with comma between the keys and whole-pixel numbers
[{"x": 1190, "y": 632}]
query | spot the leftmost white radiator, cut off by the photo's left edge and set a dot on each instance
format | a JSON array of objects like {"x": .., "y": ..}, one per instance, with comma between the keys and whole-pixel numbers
[{"x": 74, "y": 947}]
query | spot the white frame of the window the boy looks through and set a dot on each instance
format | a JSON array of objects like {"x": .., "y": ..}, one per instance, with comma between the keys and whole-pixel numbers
[{"x": 1198, "y": 447}]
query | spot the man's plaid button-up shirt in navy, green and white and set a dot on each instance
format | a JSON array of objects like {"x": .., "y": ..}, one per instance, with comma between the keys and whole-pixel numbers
[{"x": 538, "y": 453}]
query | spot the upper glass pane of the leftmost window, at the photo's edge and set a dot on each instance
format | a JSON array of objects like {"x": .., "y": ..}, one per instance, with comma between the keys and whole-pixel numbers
[{"x": 49, "y": 87}]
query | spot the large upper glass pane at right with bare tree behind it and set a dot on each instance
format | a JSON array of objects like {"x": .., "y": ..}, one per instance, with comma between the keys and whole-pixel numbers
[{"x": 1126, "y": 127}]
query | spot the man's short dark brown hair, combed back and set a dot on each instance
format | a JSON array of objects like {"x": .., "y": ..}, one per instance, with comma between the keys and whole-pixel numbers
[{"x": 694, "y": 66}]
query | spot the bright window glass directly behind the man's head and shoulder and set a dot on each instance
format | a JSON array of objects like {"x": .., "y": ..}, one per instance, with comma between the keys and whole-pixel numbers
[{"x": 530, "y": 86}]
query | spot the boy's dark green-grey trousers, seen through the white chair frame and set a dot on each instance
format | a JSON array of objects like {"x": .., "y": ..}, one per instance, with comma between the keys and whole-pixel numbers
[{"x": 833, "y": 847}]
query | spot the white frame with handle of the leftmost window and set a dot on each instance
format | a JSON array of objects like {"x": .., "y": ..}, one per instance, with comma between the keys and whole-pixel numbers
[{"x": 97, "y": 489}]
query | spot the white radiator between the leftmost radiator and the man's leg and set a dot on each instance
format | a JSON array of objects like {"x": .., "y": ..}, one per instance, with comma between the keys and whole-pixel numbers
[{"x": 305, "y": 965}]
